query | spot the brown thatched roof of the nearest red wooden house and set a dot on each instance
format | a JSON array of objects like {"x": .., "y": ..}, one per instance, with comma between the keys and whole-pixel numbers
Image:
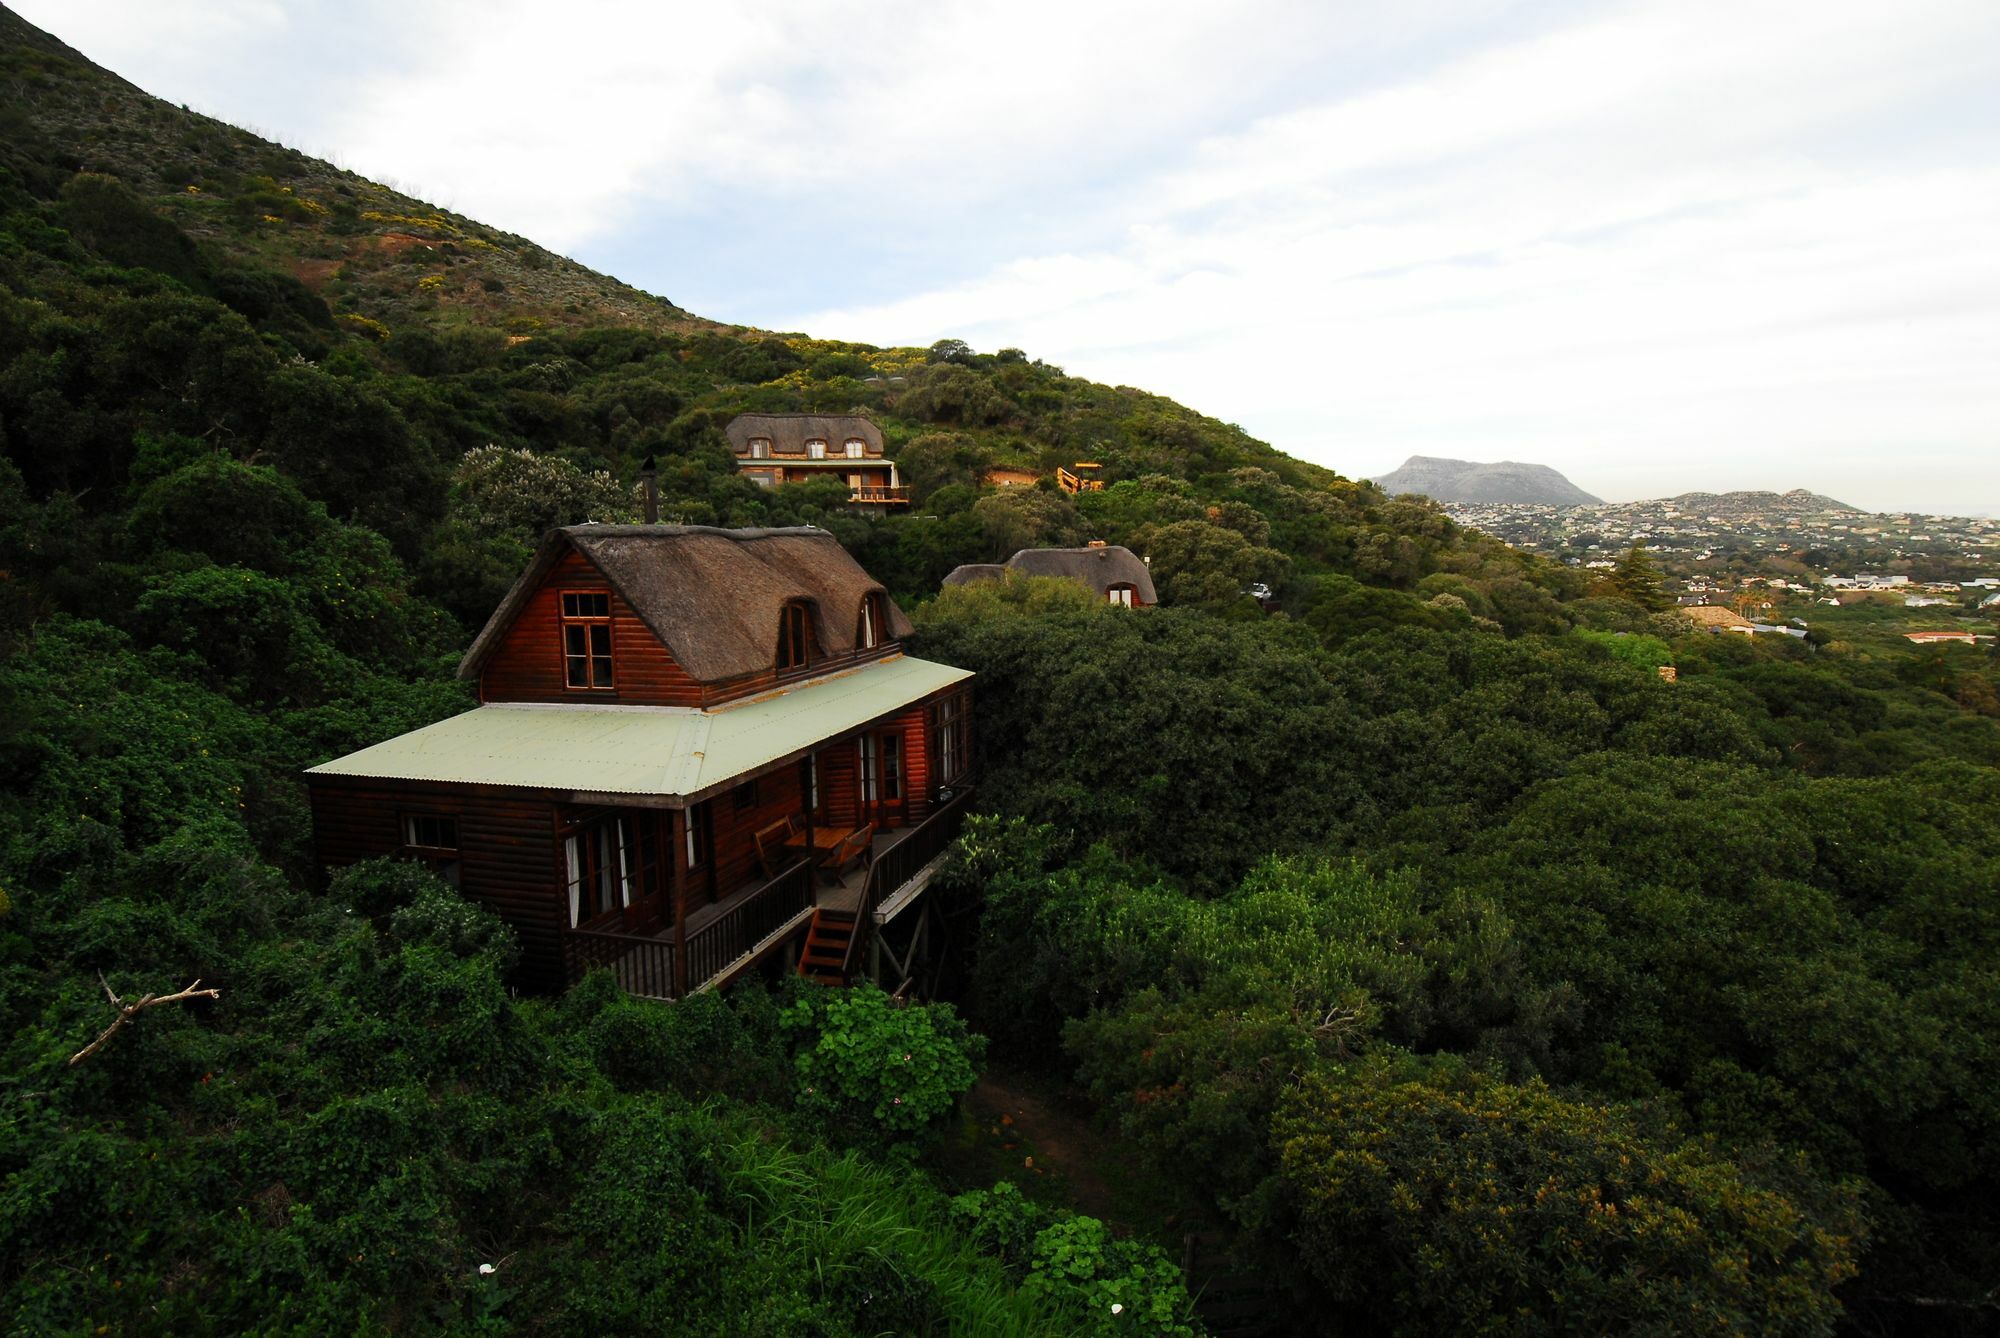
[{"x": 709, "y": 595}]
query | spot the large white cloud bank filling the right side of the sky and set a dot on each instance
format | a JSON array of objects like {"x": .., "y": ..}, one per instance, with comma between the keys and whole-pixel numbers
[{"x": 1641, "y": 249}]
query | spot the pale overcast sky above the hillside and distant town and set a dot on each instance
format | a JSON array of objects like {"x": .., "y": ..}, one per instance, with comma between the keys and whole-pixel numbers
[{"x": 1659, "y": 245}]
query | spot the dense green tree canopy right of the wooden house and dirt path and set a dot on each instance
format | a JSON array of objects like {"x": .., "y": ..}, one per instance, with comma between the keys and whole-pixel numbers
[{"x": 1741, "y": 921}]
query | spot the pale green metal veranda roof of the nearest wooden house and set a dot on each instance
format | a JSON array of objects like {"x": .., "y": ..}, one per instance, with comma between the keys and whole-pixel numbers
[{"x": 657, "y": 751}]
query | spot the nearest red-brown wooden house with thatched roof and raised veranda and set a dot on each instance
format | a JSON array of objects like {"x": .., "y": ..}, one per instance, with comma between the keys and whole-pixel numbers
[{"x": 695, "y": 751}]
